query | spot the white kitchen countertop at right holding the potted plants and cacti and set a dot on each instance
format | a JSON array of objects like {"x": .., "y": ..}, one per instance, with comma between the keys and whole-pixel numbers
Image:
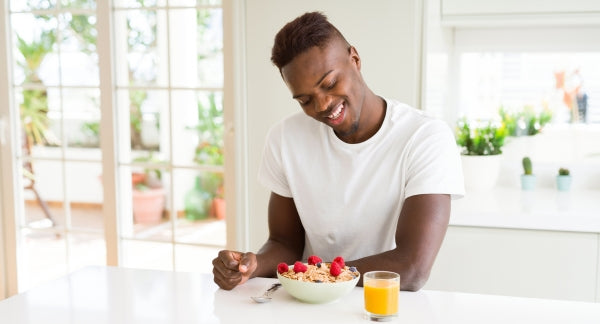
[{"x": 541, "y": 209}]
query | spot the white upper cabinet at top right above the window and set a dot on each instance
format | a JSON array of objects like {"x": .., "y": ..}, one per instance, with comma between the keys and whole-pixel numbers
[{"x": 464, "y": 12}]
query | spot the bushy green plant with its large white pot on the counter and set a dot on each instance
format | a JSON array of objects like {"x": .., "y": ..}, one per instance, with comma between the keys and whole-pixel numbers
[{"x": 481, "y": 148}]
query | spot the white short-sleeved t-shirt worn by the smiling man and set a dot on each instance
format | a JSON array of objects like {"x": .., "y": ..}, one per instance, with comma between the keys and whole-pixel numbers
[{"x": 349, "y": 196}]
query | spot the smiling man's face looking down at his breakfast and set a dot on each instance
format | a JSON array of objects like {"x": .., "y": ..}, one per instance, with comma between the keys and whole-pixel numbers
[{"x": 328, "y": 85}]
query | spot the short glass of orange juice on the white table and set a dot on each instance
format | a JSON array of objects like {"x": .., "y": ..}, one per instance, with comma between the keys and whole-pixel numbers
[{"x": 381, "y": 290}]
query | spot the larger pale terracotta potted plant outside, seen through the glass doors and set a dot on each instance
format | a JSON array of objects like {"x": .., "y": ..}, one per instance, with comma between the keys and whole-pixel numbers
[{"x": 148, "y": 193}]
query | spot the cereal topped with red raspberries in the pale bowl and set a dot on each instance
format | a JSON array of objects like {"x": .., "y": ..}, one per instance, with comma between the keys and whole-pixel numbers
[{"x": 318, "y": 271}]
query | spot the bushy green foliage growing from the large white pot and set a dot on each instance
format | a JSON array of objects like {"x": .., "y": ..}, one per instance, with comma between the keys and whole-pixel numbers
[{"x": 480, "y": 138}]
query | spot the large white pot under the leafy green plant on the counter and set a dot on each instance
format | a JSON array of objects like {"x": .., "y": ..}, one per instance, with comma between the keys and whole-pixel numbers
[{"x": 480, "y": 171}]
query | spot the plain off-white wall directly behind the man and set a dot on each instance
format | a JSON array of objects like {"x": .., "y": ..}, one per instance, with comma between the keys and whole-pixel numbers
[{"x": 387, "y": 35}]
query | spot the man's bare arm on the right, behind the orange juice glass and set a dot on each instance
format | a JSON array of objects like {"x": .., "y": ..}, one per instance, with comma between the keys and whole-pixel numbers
[{"x": 421, "y": 229}]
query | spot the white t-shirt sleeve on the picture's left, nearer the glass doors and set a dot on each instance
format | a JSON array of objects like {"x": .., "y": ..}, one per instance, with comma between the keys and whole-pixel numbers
[{"x": 271, "y": 172}]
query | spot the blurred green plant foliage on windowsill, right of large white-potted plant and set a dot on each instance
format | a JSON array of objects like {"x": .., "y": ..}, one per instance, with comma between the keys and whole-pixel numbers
[{"x": 525, "y": 121}]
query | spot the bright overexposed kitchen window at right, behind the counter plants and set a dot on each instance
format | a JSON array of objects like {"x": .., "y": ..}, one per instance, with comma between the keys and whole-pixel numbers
[{"x": 566, "y": 84}]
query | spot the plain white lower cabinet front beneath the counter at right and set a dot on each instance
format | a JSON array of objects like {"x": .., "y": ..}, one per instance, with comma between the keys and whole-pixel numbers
[{"x": 527, "y": 263}]
